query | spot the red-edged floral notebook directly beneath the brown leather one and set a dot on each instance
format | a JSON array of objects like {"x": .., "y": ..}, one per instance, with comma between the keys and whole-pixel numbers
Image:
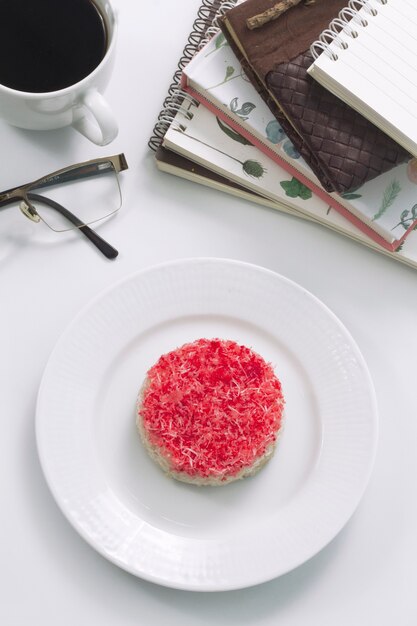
[{"x": 385, "y": 208}]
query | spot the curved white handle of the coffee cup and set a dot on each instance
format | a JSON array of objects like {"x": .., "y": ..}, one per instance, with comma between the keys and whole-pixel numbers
[{"x": 102, "y": 129}]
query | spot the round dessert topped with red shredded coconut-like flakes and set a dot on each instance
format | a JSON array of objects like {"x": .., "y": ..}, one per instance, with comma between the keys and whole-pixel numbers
[{"x": 210, "y": 412}]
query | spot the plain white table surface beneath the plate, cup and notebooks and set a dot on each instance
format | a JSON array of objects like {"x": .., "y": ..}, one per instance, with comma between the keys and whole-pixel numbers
[{"x": 49, "y": 575}]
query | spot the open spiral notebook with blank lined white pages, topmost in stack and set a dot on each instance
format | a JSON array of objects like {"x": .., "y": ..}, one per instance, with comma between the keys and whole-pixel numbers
[{"x": 366, "y": 57}]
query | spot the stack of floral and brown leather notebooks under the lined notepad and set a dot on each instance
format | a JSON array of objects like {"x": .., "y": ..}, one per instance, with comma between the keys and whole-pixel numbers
[{"x": 222, "y": 125}]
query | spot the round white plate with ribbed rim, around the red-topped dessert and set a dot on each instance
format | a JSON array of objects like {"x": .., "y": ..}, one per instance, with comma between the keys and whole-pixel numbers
[{"x": 206, "y": 538}]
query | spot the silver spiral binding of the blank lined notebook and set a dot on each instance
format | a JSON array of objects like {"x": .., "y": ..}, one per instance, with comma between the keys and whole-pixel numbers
[{"x": 348, "y": 22}]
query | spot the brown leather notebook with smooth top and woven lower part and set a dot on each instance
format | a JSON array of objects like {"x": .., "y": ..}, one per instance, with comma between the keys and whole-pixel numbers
[{"x": 343, "y": 149}]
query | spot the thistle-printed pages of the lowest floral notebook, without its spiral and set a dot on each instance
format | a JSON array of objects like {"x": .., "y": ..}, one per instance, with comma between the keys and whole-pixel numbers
[{"x": 197, "y": 148}]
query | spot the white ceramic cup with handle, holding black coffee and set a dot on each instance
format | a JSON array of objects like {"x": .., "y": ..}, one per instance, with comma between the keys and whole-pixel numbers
[{"x": 80, "y": 105}]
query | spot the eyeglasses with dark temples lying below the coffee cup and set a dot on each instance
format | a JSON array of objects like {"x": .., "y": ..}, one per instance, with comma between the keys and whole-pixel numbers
[{"x": 76, "y": 197}]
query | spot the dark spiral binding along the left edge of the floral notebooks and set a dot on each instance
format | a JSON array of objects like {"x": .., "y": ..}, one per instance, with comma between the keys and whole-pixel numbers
[{"x": 204, "y": 28}]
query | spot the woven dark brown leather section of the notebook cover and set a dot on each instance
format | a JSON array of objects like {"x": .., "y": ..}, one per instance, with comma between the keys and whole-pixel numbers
[{"x": 343, "y": 148}]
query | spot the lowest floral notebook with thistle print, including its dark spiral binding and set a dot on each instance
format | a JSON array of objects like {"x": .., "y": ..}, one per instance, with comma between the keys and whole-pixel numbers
[{"x": 187, "y": 141}]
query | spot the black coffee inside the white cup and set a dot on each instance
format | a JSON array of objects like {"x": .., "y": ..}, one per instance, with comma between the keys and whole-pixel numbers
[{"x": 46, "y": 45}]
